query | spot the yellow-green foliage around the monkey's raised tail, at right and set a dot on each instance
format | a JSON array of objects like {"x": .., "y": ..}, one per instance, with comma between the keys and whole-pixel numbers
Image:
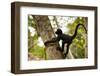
[{"x": 78, "y": 46}]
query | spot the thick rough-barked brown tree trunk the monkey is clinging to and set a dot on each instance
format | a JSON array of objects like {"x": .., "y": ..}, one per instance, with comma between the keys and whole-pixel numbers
[{"x": 45, "y": 31}]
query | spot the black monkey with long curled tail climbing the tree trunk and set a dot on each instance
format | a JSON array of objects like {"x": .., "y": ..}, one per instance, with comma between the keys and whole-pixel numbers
[{"x": 65, "y": 38}]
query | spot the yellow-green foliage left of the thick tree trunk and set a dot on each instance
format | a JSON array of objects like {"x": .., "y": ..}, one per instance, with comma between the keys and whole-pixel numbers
[{"x": 33, "y": 47}]
